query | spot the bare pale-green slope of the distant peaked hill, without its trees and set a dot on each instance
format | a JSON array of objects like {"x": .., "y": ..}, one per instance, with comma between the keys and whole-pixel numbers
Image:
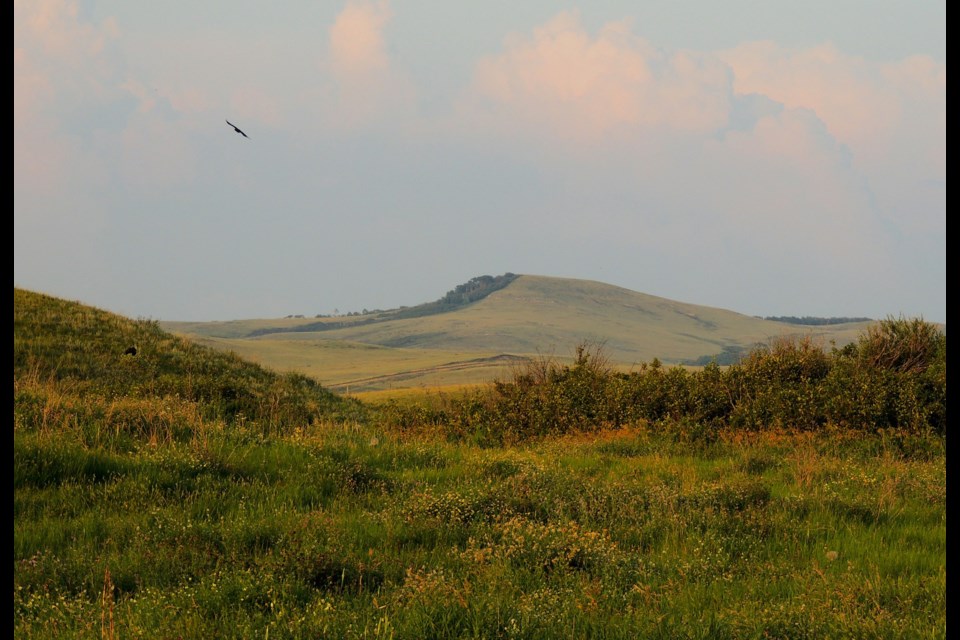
[{"x": 552, "y": 315}]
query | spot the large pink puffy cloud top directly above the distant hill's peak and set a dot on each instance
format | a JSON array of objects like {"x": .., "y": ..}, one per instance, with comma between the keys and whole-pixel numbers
[{"x": 564, "y": 84}]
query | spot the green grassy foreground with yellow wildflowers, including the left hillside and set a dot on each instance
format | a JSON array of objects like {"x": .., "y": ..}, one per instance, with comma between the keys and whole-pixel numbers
[{"x": 182, "y": 493}]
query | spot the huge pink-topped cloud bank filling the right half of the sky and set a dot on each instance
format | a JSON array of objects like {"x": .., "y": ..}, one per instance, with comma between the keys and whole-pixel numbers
[{"x": 749, "y": 167}]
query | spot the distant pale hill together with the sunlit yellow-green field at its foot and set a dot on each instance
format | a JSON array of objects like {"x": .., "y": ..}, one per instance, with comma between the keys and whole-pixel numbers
[{"x": 530, "y": 316}]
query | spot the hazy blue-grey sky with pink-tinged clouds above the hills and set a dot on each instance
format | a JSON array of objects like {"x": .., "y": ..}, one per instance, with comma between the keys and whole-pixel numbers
[{"x": 768, "y": 157}]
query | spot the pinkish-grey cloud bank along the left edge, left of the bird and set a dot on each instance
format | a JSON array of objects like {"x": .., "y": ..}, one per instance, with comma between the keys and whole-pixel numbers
[{"x": 90, "y": 146}]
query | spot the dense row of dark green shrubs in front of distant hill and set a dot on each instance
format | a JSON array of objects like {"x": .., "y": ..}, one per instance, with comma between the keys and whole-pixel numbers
[{"x": 893, "y": 376}]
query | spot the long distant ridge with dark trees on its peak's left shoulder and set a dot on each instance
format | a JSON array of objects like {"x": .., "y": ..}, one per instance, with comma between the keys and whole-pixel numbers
[{"x": 530, "y": 314}]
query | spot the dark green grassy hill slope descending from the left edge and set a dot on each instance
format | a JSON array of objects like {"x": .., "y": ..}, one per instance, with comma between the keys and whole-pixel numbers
[{"x": 102, "y": 357}]
